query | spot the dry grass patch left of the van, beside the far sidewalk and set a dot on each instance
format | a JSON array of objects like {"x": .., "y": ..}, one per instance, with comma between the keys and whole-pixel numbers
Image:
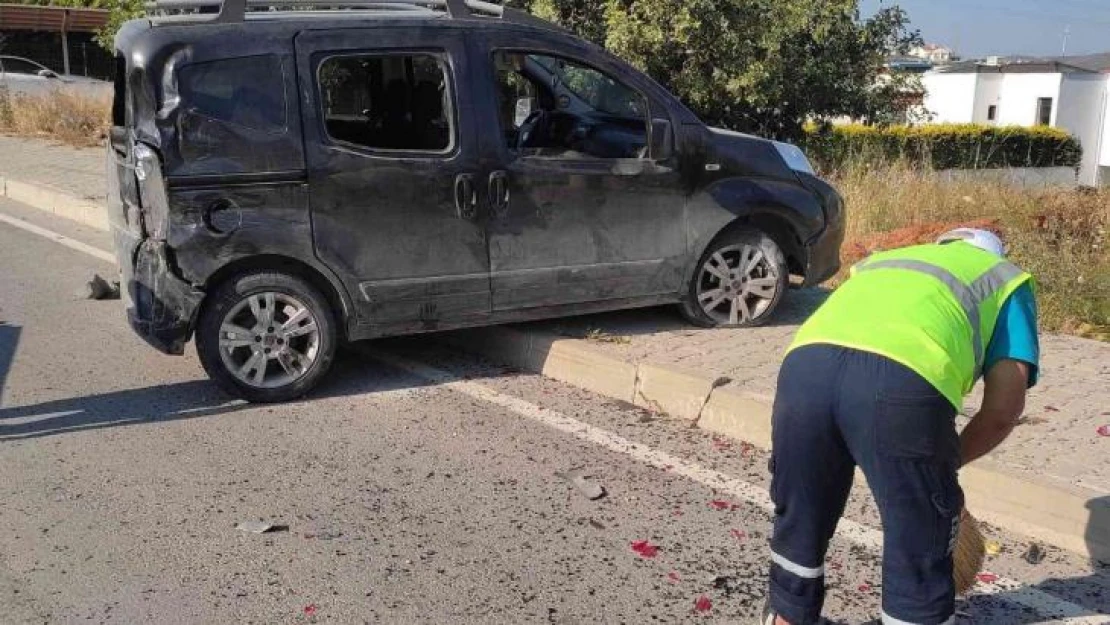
[{"x": 74, "y": 119}]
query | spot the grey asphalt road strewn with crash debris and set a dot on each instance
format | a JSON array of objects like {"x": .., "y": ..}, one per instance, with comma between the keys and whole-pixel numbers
[{"x": 418, "y": 486}]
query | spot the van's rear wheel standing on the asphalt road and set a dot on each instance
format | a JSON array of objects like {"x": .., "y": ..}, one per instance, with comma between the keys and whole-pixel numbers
[{"x": 267, "y": 337}]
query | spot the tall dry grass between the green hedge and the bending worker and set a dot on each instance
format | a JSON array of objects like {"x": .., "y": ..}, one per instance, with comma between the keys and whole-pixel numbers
[{"x": 1061, "y": 237}]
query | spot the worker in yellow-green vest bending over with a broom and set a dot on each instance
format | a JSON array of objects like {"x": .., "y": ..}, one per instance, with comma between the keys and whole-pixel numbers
[{"x": 875, "y": 380}]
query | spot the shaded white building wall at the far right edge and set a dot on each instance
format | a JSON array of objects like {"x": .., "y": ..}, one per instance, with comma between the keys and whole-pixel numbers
[{"x": 1082, "y": 112}]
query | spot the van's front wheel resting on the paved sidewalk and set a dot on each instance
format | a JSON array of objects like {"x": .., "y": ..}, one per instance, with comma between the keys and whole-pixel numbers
[{"x": 739, "y": 281}]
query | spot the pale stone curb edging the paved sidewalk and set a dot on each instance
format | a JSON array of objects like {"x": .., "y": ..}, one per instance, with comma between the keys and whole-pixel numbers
[{"x": 1055, "y": 513}]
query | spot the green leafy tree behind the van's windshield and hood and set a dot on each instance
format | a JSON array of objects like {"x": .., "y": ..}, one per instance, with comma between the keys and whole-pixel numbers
[{"x": 760, "y": 66}]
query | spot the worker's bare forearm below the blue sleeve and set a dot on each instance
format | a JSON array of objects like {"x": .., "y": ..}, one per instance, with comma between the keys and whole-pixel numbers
[{"x": 1003, "y": 405}]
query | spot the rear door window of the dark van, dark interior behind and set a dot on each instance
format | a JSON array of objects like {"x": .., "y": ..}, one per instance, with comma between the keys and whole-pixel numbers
[{"x": 388, "y": 102}]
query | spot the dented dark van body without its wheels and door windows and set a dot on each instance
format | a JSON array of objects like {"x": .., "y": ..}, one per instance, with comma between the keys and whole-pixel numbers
[{"x": 221, "y": 160}]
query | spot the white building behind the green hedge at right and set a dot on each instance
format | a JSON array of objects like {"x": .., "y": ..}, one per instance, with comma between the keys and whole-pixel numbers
[{"x": 1067, "y": 93}]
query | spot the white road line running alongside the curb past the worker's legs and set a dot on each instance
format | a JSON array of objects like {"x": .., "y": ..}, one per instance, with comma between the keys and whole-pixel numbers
[{"x": 1045, "y": 604}]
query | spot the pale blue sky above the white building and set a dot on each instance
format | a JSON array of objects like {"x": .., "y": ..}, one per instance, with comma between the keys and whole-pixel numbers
[{"x": 981, "y": 28}]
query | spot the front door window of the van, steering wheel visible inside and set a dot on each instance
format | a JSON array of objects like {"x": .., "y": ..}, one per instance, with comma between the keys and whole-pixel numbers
[{"x": 559, "y": 108}]
